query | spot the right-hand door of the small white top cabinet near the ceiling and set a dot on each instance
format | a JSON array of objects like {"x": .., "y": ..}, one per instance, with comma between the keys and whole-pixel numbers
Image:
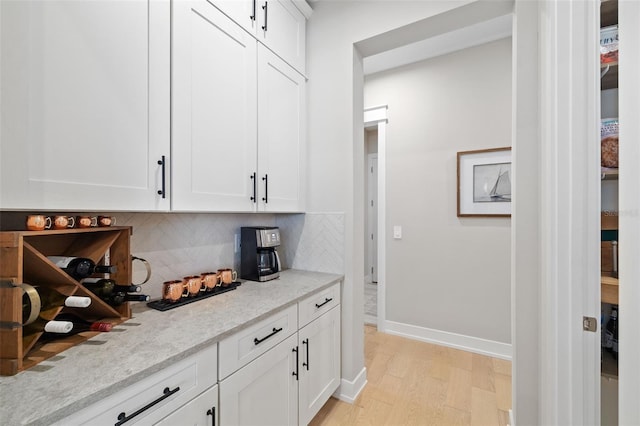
[{"x": 281, "y": 27}]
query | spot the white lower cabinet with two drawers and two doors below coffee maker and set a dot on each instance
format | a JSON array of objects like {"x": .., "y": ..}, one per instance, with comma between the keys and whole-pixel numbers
[{"x": 288, "y": 383}]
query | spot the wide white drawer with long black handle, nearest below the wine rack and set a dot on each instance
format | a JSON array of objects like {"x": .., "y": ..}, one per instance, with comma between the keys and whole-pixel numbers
[{"x": 161, "y": 393}]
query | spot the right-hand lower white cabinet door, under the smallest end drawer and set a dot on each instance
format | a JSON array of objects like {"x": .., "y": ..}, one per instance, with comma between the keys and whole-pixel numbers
[{"x": 319, "y": 363}]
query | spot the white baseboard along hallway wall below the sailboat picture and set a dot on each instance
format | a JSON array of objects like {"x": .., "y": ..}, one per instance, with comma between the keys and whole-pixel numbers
[{"x": 452, "y": 340}]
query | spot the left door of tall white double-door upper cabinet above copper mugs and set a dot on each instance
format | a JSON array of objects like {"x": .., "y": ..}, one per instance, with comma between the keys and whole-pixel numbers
[{"x": 213, "y": 110}]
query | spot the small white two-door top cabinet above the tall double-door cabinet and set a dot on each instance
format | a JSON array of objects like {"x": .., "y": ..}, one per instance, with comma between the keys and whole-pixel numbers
[{"x": 278, "y": 24}]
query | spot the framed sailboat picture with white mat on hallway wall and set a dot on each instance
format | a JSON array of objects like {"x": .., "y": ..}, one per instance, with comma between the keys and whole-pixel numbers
[{"x": 484, "y": 182}]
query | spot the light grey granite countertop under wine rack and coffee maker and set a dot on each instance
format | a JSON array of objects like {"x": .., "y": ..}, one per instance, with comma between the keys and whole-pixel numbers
[{"x": 145, "y": 344}]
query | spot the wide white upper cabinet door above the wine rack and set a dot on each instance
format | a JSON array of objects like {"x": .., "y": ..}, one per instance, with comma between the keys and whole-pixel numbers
[{"x": 85, "y": 104}]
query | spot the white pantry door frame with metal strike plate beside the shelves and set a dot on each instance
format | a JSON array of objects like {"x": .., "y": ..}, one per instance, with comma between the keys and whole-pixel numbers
[{"x": 569, "y": 182}]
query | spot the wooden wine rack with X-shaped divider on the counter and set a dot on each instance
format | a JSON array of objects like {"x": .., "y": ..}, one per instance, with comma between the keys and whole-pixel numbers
[{"x": 23, "y": 259}]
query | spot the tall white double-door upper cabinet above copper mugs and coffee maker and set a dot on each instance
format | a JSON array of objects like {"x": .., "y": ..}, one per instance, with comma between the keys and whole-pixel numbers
[{"x": 238, "y": 118}]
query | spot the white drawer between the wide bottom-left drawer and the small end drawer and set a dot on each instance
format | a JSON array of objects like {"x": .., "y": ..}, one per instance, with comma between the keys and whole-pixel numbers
[{"x": 246, "y": 345}]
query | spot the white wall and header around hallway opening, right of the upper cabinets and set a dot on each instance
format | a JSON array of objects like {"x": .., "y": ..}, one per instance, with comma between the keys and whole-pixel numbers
[{"x": 335, "y": 109}]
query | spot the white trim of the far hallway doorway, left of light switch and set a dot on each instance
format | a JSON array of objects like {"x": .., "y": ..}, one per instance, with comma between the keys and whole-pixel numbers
[{"x": 377, "y": 116}]
